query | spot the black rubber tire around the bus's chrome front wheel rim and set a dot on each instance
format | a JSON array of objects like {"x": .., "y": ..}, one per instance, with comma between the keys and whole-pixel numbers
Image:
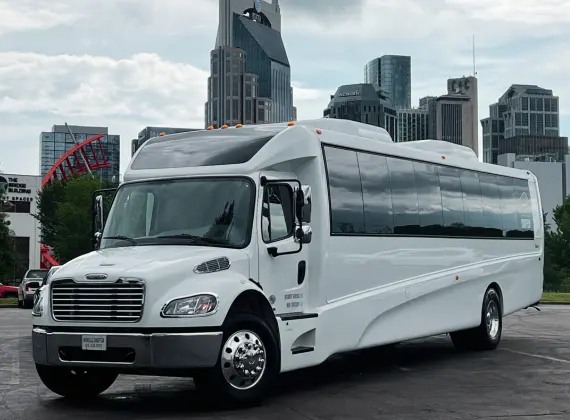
[{"x": 213, "y": 381}]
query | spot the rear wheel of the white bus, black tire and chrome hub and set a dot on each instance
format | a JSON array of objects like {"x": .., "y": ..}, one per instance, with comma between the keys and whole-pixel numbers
[{"x": 488, "y": 334}]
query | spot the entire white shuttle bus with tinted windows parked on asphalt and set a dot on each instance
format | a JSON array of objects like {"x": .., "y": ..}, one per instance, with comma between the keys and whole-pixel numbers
[{"x": 232, "y": 255}]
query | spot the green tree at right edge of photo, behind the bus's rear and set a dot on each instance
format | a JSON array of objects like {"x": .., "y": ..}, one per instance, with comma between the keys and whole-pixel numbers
[{"x": 557, "y": 249}]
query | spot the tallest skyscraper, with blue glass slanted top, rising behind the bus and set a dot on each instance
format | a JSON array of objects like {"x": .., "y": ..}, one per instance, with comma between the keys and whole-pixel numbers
[{"x": 250, "y": 79}]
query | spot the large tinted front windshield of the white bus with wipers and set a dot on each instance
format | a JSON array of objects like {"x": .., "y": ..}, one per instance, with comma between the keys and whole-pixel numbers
[{"x": 206, "y": 211}]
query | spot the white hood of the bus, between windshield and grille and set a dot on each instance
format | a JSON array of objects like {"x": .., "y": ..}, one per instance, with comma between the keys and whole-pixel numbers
[{"x": 150, "y": 262}]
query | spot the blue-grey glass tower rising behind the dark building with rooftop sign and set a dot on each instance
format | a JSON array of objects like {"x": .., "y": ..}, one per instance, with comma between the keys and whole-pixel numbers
[{"x": 392, "y": 74}]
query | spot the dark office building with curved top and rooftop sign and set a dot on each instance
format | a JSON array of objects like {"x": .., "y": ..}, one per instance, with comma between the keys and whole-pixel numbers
[{"x": 363, "y": 103}]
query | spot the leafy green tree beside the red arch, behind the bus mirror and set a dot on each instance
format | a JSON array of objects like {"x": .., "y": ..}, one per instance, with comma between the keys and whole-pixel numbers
[{"x": 65, "y": 215}]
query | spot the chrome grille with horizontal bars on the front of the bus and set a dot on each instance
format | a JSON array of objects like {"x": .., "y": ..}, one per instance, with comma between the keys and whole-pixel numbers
[{"x": 121, "y": 301}]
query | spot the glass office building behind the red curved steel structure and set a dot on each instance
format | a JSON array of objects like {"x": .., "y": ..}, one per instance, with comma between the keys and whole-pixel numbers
[{"x": 55, "y": 143}]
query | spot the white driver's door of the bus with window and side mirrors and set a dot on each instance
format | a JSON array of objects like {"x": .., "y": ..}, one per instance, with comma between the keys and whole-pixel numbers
[{"x": 283, "y": 240}]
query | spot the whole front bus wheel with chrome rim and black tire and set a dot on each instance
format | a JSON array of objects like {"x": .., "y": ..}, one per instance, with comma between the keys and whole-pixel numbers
[{"x": 247, "y": 364}]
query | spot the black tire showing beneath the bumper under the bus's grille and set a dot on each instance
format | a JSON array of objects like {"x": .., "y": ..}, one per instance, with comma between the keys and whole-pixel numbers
[{"x": 76, "y": 383}]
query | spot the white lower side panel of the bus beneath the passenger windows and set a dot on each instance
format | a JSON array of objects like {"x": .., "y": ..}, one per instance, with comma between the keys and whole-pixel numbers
[{"x": 425, "y": 286}]
